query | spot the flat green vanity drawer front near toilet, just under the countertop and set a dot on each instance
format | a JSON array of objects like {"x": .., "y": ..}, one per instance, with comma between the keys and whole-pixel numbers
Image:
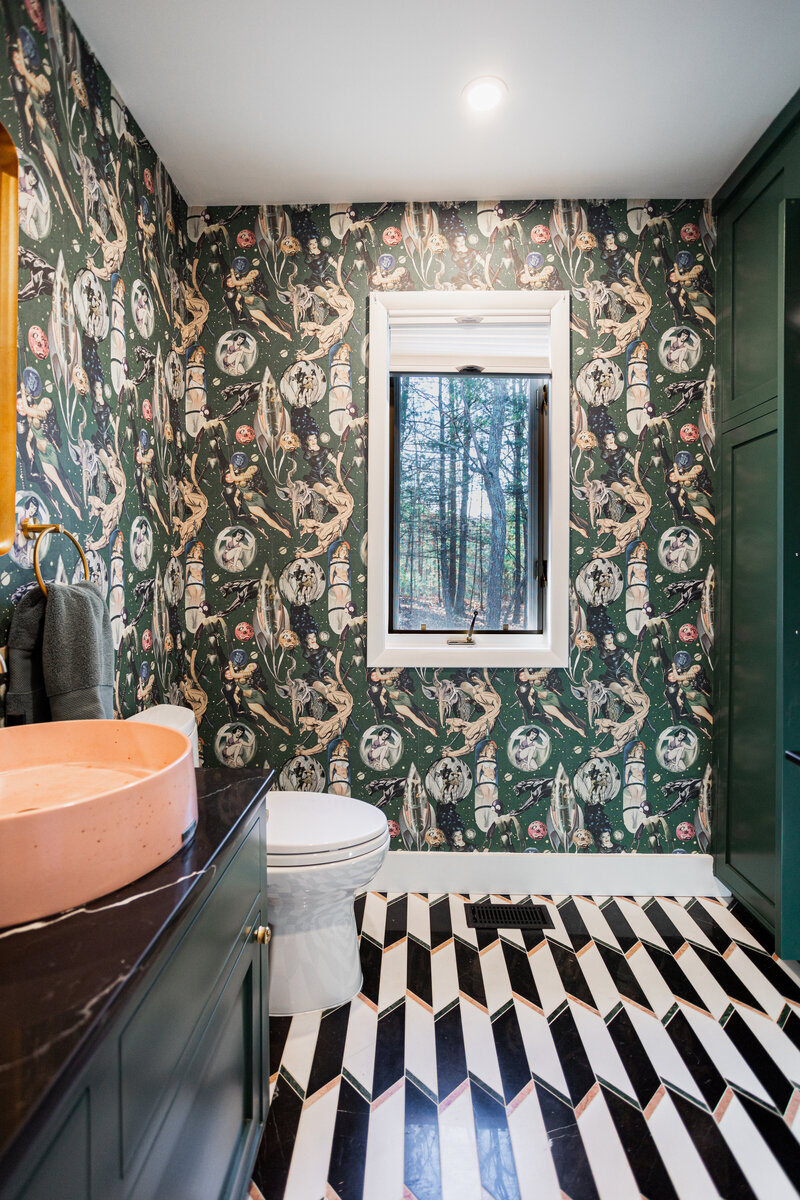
[{"x": 157, "y": 1037}]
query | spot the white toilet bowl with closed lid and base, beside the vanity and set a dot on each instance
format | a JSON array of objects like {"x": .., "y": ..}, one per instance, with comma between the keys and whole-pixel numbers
[{"x": 321, "y": 850}]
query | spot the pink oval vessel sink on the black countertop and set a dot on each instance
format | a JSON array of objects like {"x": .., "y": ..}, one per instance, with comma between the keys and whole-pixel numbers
[{"x": 87, "y": 808}]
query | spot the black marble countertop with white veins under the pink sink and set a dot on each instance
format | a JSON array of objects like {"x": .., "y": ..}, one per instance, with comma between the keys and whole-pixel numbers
[{"x": 63, "y": 979}]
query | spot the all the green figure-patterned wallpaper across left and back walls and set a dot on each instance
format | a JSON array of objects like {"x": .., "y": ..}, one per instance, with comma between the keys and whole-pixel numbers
[{"x": 193, "y": 404}]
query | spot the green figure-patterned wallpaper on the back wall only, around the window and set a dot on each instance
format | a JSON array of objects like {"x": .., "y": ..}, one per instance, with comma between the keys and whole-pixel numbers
[{"x": 610, "y": 754}]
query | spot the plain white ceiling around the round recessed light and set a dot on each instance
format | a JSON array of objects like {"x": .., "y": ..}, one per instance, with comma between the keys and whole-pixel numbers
[{"x": 299, "y": 101}]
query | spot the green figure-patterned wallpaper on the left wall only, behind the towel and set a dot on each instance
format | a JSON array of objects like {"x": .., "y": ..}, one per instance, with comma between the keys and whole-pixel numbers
[{"x": 103, "y": 293}]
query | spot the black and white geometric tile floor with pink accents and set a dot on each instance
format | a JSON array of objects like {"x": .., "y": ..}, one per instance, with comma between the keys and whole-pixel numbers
[{"x": 642, "y": 1048}]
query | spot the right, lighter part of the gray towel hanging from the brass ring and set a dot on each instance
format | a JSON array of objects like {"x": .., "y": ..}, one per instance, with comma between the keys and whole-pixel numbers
[{"x": 79, "y": 653}]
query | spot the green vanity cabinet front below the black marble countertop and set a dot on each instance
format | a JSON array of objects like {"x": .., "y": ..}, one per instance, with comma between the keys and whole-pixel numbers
[{"x": 173, "y": 1100}]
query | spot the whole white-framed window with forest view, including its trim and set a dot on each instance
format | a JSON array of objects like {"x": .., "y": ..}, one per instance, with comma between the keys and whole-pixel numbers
[{"x": 470, "y": 479}]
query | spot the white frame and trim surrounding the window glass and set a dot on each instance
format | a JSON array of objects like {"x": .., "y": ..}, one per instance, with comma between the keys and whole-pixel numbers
[{"x": 551, "y": 649}]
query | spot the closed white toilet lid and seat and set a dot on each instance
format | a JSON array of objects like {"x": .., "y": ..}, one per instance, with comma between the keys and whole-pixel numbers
[{"x": 321, "y": 824}]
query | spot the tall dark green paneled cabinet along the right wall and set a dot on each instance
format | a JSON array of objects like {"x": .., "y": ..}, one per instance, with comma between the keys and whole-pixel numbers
[{"x": 757, "y": 825}]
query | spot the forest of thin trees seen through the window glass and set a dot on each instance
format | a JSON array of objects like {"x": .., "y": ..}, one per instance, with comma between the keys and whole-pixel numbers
[{"x": 467, "y": 502}]
